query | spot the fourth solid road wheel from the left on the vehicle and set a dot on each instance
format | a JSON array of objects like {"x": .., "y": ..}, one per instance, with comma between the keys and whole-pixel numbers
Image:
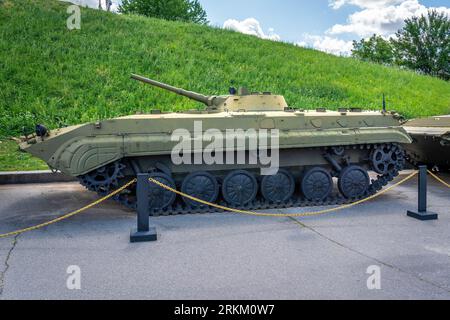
[{"x": 278, "y": 188}]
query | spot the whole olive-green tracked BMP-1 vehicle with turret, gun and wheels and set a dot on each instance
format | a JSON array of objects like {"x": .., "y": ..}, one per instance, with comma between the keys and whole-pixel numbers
[{"x": 325, "y": 157}]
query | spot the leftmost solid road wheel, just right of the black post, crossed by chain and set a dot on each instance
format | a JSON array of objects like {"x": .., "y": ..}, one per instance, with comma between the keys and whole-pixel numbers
[{"x": 160, "y": 198}]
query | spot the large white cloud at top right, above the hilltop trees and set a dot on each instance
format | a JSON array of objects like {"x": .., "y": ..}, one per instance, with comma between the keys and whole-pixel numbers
[{"x": 383, "y": 17}]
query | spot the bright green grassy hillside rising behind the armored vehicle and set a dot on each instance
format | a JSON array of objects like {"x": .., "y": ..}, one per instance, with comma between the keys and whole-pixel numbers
[{"x": 54, "y": 76}]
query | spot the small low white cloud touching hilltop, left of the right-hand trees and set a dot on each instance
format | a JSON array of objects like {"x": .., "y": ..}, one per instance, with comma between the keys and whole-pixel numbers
[{"x": 327, "y": 44}]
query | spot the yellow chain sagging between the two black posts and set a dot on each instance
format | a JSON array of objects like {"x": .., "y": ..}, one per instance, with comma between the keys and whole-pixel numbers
[{"x": 305, "y": 214}]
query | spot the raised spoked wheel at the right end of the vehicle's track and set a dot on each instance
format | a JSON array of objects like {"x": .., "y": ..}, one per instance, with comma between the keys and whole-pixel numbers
[{"x": 386, "y": 159}]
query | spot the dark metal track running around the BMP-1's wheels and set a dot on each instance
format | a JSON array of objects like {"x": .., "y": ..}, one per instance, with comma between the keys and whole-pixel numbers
[{"x": 180, "y": 207}]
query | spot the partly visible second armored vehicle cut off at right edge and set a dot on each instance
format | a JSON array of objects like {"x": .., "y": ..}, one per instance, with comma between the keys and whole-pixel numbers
[{"x": 431, "y": 142}]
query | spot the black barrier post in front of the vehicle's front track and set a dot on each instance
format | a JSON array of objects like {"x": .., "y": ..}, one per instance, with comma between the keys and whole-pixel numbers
[{"x": 143, "y": 233}]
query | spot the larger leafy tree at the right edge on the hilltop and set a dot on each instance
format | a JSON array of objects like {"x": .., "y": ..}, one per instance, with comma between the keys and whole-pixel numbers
[{"x": 424, "y": 44}]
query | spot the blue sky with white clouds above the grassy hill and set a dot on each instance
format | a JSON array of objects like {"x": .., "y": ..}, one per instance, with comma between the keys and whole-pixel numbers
[{"x": 327, "y": 25}]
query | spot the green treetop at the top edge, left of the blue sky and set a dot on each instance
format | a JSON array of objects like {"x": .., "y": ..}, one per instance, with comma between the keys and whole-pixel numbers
[{"x": 181, "y": 10}]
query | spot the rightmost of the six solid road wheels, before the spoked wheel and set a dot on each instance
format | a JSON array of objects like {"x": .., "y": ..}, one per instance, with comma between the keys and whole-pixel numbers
[{"x": 353, "y": 182}]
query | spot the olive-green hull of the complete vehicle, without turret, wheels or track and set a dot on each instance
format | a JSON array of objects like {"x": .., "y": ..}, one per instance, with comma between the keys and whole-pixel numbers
[{"x": 82, "y": 149}]
